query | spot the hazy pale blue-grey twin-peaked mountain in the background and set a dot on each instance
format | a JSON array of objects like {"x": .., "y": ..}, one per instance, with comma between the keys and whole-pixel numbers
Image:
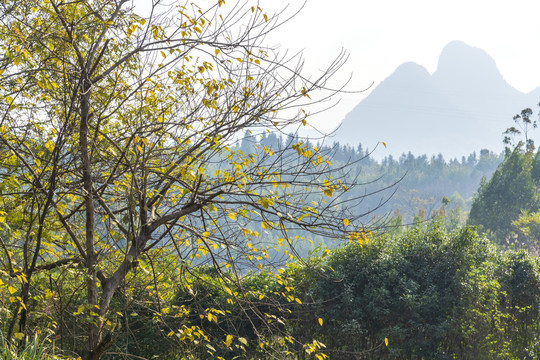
[{"x": 464, "y": 106}]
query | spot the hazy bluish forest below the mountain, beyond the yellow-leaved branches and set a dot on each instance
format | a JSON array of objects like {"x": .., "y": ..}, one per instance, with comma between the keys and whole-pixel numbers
[{"x": 422, "y": 182}]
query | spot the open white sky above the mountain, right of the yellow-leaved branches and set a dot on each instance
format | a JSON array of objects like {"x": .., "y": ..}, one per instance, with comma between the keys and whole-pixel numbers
[{"x": 379, "y": 35}]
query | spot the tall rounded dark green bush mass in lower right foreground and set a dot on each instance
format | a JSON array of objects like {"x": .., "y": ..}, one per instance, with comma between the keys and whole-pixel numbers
[{"x": 432, "y": 294}]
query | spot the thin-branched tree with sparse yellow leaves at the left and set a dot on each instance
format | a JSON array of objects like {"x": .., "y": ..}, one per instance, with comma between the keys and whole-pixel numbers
[{"x": 116, "y": 153}]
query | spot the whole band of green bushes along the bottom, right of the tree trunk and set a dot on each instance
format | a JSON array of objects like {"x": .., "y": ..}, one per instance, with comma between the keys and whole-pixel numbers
[{"x": 430, "y": 293}]
